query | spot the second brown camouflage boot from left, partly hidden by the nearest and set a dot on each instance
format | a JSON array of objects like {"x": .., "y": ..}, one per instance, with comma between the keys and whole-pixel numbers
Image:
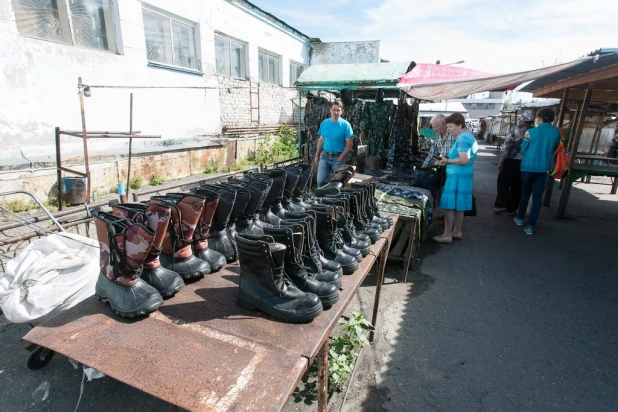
[{"x": 156, "y": 217}]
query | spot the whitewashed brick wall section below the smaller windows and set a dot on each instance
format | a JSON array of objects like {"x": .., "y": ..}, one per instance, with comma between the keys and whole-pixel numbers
[{"x": 275, "y": 103}]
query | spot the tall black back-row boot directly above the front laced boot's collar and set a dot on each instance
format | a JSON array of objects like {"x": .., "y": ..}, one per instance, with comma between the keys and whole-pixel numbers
[{"x": 248, "y": 222}]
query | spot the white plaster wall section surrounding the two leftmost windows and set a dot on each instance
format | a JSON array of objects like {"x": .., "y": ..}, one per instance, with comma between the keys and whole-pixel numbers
[{"x": 39, "y": 83}]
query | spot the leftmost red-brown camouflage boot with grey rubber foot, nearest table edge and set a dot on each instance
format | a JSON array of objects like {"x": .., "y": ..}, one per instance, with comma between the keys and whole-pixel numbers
[{"x": 124, "y": 245}]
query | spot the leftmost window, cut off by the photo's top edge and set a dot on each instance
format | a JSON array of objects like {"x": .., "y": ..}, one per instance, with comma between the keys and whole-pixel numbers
[{"x": 85, "y": 23}]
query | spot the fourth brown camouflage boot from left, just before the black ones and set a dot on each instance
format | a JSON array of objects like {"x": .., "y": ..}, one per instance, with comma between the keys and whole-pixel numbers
[{"x": 215, "y": 259}]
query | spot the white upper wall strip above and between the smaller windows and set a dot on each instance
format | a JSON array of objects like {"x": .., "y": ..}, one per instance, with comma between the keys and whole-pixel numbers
[{"x": 237, "y": 22}]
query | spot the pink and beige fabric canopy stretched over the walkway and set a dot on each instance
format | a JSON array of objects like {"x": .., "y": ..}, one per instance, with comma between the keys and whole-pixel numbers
[{"x": 455, "y": 82}]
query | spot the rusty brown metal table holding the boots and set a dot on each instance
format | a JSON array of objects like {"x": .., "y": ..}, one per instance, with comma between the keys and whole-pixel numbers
[{"x": 217, "y": 347}]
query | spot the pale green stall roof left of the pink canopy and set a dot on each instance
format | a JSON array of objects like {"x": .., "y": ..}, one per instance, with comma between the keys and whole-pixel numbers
[{"x": 353, "y": 76}]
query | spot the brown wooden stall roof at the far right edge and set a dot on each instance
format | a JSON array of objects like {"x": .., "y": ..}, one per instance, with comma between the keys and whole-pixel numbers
[{"x": 600, "y": 69}]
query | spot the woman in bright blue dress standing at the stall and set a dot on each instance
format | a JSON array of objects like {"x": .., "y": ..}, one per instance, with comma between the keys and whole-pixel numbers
[{"x": 457, "y": 193}]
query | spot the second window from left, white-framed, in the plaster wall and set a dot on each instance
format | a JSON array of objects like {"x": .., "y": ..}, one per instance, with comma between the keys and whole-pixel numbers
[{"x": 171, "y": 40}]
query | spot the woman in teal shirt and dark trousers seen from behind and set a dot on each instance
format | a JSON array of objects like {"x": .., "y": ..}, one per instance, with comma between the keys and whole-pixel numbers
[{"x": 538, "y": 148}]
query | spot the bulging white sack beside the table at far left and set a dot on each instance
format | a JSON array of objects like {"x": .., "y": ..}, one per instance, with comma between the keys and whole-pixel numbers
[{"x": 52, "y": 274}]
